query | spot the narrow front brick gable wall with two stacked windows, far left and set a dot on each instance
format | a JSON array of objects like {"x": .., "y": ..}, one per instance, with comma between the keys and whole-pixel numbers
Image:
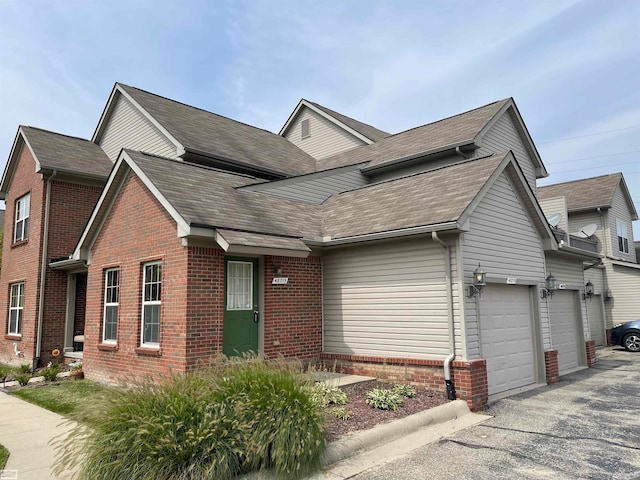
[{"x": 21, "y": 261}]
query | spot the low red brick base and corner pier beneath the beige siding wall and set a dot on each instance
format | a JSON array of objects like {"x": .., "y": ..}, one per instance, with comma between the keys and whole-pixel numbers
[{"x": 469, "y": 377}]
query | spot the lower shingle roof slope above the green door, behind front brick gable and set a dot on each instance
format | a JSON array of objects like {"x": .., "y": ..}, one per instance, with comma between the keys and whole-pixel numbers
[{"x": 209, "y": 197}]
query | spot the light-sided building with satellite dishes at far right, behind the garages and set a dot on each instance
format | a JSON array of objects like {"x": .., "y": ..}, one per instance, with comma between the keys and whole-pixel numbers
[{"x": 600, "y": 211}]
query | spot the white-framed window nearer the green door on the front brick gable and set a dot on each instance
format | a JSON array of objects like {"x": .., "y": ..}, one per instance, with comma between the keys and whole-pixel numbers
[{"x": 151, "y": 297}]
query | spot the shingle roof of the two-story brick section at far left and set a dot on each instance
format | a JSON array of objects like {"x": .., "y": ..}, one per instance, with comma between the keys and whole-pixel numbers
[{"x": 69, "y": 154}]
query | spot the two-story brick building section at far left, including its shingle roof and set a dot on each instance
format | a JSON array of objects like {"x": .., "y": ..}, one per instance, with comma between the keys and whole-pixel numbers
[{"x": 50, "y": 185}]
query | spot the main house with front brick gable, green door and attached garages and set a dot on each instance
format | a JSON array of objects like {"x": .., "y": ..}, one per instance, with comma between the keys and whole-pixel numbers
[{"x": 331, "y": 241}]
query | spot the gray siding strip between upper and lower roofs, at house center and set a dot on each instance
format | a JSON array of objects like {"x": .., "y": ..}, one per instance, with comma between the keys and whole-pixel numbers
[{"x": 314, "y": 188}]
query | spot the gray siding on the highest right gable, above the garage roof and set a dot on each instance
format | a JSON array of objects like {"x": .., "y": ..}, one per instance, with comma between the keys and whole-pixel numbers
[{"x": 503, "y": 136}]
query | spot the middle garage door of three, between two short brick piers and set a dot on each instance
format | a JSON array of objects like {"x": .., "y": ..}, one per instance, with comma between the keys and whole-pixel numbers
[{"x": 563, "y": 315}]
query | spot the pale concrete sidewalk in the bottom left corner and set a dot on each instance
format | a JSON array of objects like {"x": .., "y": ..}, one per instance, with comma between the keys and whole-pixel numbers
[{"x": 26, "y": 430}]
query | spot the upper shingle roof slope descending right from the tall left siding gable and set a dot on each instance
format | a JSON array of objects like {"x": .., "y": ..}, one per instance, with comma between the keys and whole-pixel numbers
[{"x": 223, "y": 138}]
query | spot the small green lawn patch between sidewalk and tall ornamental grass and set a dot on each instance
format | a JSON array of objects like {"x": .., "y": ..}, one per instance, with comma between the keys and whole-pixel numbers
[{"x": 78, "y": 400}]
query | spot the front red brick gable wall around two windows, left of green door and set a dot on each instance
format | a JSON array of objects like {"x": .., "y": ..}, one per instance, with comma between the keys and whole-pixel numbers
[{"x": 137, "y": 230}]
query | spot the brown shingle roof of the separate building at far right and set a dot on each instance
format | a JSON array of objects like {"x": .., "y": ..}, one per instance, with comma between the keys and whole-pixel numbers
[{"x": 583, "y": 194}]
